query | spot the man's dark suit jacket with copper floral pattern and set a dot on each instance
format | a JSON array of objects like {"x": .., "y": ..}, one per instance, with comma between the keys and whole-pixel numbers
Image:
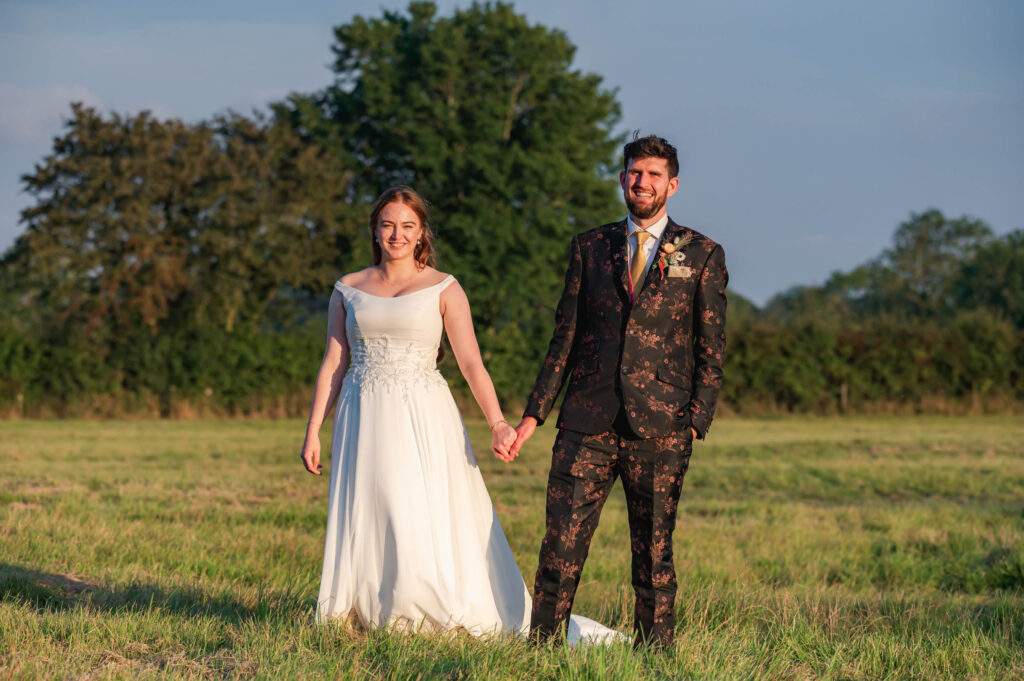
[{"x": 661, "y": 357}]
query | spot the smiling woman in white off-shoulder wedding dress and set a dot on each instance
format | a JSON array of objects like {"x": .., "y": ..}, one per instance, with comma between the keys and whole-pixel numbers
[{"x": 413, "y": 541}]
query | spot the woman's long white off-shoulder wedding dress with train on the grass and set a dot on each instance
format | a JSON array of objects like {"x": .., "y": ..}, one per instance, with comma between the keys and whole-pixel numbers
[{"x": 413, "y": 540}]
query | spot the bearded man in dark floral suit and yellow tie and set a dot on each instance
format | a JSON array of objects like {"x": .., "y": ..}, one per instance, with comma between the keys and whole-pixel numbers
[{"x": 641, "y": 335}]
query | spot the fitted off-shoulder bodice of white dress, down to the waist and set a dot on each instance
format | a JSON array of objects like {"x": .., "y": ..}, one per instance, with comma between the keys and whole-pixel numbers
[{"x": 395, "y": 340}]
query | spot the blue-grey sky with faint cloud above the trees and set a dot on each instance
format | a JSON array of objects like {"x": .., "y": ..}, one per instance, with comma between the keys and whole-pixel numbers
[{"x": 807, "y": 131}]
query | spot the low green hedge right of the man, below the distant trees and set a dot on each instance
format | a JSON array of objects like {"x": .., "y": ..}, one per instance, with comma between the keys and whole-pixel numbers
[{"x": 971, "y": 363}]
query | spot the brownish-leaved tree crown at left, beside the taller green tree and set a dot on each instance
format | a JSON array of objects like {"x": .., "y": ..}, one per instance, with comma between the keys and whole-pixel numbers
[{"x": 138, "y": 221}]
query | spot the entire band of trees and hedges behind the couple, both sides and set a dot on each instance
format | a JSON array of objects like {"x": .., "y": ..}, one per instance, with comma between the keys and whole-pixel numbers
[{"x": 184, "y": 270}]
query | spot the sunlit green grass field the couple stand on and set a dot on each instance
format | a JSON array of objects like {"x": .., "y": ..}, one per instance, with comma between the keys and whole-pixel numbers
[{"x": 806, "y": 549}]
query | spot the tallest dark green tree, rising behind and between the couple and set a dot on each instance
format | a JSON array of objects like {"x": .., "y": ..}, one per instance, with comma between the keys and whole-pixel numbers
[{"x": 484, "y": 115}]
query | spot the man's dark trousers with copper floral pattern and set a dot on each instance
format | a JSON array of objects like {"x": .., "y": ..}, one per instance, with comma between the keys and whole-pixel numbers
[{"x": 583, "y": 472}]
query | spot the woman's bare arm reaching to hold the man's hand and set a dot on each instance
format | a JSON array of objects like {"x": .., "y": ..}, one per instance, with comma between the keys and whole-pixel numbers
[{"x": 459, "y": 326}]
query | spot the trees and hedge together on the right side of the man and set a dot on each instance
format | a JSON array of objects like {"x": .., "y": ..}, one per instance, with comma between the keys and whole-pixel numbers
[{"x": 934, "y": 324}]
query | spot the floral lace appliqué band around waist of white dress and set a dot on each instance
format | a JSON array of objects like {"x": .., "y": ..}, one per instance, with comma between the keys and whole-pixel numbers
[{"x": 383, "y": 364}]
